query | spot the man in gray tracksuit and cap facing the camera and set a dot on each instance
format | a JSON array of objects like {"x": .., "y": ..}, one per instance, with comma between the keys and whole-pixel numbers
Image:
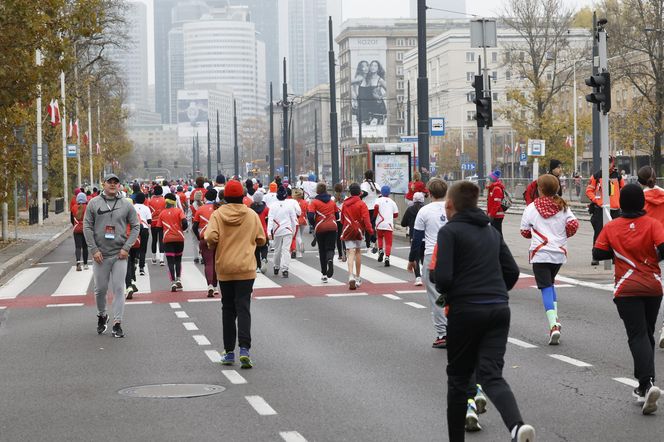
[{"x": 105, "y": 230}]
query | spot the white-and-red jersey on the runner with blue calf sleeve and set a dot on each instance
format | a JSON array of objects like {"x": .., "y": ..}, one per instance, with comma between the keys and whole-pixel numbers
[{"x": 548, "y": 228}]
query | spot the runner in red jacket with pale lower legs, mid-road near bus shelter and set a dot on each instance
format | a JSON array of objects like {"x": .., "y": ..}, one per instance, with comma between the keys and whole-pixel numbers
[{"x": 356, "y": 224}]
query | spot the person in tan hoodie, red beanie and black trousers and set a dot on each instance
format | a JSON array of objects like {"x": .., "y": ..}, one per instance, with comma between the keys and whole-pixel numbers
[{"x": 235, "y": 231}]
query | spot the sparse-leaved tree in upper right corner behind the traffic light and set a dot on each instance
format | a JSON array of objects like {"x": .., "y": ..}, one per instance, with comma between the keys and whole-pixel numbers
[{"x": 636, "y": 28}]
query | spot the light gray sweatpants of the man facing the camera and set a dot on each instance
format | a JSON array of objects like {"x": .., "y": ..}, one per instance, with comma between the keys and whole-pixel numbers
[{"x": 111, "y": 270}]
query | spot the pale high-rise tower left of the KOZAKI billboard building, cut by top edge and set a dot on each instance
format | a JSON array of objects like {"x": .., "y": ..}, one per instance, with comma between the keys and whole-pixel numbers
[{"x": 307, "y": 44}]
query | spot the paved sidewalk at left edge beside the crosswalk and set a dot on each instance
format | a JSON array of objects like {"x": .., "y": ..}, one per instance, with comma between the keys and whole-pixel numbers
[{"x": 33, "y": 242}]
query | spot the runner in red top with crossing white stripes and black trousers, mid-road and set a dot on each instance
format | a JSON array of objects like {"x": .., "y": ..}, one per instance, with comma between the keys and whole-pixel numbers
[{"x": 323, "y": 214}]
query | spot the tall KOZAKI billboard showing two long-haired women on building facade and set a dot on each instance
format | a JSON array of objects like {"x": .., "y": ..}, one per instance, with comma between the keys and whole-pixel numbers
[{"x": 368, "y": 86}]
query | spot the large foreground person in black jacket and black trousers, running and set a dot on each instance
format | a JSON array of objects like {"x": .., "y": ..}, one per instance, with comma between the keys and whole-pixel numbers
[{"x": 474, "y": 271}]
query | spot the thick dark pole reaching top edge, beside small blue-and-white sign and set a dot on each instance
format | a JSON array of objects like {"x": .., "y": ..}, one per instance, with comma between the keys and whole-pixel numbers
[{"x": 422, "y": 91}]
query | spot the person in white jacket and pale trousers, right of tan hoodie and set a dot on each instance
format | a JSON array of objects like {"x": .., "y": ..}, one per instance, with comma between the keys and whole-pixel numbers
[{"x": 281, "y": 223}]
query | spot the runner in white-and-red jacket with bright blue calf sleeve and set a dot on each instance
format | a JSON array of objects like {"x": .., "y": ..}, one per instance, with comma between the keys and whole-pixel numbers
[{"x": 548, "y": 222}]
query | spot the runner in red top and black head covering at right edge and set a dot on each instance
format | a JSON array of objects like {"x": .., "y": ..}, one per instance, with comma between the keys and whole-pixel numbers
[{"x": 636, "y": 244}]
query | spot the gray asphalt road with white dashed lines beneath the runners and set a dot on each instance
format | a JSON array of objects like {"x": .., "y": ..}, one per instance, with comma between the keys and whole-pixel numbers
[{"x": 329, "y": 368}]
